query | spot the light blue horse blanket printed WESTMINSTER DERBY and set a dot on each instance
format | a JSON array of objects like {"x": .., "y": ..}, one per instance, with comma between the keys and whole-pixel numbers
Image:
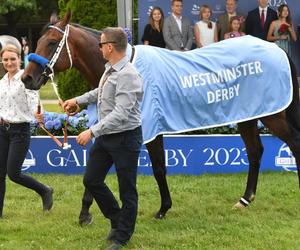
[{"x": 231, "y": 81}]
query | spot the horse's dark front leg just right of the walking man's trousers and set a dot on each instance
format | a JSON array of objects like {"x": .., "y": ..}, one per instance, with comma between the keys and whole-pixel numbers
[{"x": 157, "y": 157}]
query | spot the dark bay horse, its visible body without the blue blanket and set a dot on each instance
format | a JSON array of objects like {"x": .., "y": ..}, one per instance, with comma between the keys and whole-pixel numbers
[{"x": 84, "y": 54}]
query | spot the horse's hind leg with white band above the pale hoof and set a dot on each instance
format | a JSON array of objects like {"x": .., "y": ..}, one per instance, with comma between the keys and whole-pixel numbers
[{"x": 254, "y": 148}]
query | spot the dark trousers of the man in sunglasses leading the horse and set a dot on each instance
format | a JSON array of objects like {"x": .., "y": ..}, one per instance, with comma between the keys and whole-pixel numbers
[{"x": 123, "y": 150}]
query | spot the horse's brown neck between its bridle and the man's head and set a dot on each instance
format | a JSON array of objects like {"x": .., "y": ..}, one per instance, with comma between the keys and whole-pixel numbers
[{"x": 87, "y": 58}]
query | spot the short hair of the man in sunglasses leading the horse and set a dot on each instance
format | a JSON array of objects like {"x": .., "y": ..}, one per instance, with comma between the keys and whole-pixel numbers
[{"x": 117, "y": 36}]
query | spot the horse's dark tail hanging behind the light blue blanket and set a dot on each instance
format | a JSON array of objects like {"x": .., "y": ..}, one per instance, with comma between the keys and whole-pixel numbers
[{"x": 293, "y": 110}]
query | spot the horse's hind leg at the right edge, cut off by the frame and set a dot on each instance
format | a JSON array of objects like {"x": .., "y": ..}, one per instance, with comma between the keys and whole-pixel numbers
[{"x": 286, "y": 132}]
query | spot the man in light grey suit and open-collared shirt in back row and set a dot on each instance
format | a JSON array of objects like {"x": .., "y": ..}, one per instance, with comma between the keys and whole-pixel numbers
[{"x": 177, "y": 29}]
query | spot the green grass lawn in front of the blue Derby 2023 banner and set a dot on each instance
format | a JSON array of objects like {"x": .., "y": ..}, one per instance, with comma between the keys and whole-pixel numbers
[{"x": 201, "y": 216}]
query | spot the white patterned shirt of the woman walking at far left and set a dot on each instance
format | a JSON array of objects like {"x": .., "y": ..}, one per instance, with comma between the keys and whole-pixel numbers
[{"x": 17, "y": 104}]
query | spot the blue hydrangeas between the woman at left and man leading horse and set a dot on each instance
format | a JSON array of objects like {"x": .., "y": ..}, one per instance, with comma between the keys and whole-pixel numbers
[{"x": 54, "y": 122}]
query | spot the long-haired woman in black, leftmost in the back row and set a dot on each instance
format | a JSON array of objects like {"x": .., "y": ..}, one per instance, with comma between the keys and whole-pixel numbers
[{"x": 153, "y": 30}]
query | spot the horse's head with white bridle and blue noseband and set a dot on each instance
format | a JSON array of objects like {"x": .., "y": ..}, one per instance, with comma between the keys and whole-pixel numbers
[{"x": 53, "y": 54}]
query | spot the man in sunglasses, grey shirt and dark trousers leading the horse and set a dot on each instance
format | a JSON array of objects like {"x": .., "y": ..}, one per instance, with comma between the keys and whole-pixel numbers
[{"x": 118, "y": 136}]
